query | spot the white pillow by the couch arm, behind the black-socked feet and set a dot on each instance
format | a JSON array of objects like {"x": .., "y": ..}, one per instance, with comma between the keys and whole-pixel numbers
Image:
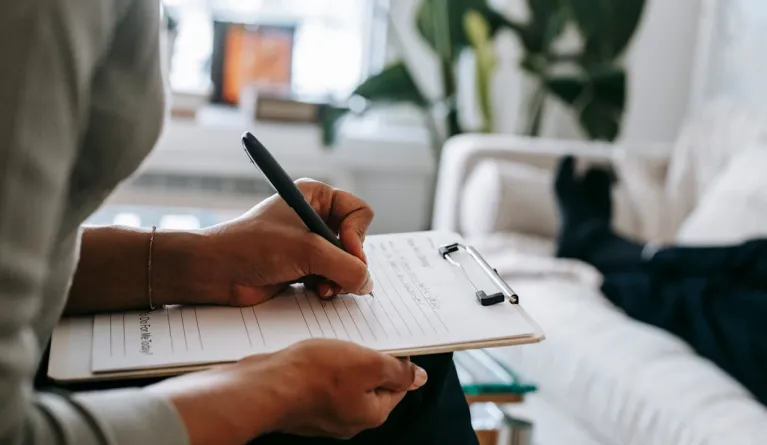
[{"x": 506, "y": 196}]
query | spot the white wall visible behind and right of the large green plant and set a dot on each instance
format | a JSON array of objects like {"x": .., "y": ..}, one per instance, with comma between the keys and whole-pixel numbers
[{"x": 660, "y": 62}]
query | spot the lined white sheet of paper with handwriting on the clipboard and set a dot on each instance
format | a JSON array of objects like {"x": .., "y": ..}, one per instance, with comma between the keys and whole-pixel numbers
[{"x": 421, "y": 301}]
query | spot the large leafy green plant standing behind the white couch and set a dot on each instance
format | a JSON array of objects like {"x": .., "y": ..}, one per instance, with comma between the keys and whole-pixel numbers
[{"x": 591, "y": 81}]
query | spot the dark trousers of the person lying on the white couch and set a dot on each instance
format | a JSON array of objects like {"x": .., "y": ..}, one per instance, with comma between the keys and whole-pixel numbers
[{"x": 714, "y": 298}]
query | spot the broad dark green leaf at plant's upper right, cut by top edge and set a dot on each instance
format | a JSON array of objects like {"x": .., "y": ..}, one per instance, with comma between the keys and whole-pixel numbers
[{"x": 606, "y": 25}]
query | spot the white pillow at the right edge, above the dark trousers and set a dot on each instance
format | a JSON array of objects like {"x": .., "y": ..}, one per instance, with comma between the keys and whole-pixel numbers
[{"x": 734, "y": 207}]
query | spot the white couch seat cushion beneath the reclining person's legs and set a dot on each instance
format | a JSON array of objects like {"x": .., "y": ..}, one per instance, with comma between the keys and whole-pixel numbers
[{"x": 632, "y": 383}]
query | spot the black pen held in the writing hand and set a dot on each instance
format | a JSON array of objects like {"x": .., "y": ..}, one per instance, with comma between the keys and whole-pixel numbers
[{"x": 286, "y": 188}]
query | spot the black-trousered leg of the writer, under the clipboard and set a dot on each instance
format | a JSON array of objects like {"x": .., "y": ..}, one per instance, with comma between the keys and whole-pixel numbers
[{"x": 437, "y": 413}]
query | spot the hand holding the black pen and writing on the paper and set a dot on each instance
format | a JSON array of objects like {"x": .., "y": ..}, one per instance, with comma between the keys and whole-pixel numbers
[{"x": 248, "y": 260}]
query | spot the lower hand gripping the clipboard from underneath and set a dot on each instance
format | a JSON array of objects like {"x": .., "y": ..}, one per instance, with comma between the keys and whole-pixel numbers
[{"x": 314, "y": 388}]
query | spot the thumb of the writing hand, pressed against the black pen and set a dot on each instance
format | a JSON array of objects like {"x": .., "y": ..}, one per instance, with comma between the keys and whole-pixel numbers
[{"x": 329, "y": 261}]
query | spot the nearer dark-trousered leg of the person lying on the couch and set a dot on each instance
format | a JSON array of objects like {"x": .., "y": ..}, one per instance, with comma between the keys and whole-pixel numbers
[{"x": 722, "y": 320}]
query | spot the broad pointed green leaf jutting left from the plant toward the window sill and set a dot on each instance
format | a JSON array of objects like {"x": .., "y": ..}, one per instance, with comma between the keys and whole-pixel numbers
[{"x": 393, "y": 84}]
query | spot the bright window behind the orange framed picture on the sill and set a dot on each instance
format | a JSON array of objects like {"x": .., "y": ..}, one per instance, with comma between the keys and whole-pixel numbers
[{"x": 336, "y": 41}]
